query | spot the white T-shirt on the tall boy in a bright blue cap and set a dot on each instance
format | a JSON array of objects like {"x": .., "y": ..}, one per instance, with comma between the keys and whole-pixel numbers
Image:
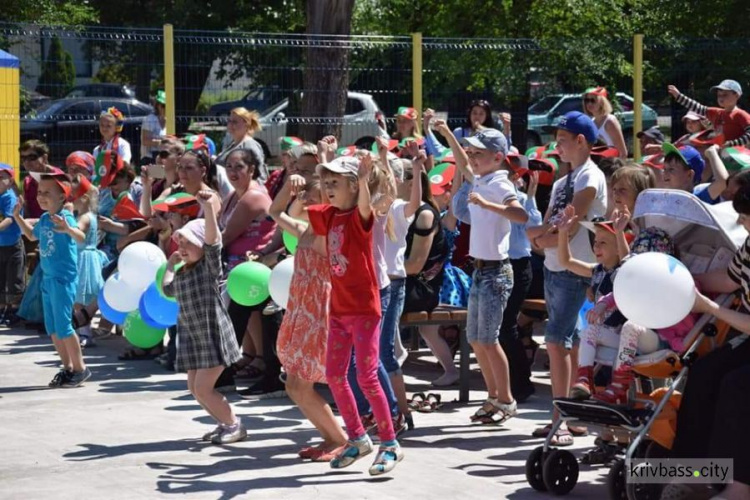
[{"x": 585, "y": 176}]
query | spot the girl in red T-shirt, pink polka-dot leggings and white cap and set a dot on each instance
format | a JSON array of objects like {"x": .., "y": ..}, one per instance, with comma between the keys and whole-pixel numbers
[{"x": 347, "y": 224}]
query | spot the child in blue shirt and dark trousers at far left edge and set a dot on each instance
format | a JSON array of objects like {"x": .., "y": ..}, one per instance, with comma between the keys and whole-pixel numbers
[{"x": 12, "y": 255}]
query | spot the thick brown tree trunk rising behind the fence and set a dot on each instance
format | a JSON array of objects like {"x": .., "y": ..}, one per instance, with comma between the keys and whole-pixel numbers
[{"x": 326, "y": 73}]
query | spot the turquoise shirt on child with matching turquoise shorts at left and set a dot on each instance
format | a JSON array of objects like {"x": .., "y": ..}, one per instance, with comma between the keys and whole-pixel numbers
[{"x": 58, "y": 252}]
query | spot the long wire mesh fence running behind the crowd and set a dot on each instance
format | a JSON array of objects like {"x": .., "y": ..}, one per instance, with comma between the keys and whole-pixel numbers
[{"x": 217, "y": 71}]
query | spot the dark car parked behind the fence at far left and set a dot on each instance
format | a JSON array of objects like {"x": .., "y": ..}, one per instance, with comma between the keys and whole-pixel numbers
[{"x": 68, "y": 125}]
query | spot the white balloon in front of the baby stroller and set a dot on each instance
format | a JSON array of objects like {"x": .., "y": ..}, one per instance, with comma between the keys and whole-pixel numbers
[{"x": 654, "y": 290}]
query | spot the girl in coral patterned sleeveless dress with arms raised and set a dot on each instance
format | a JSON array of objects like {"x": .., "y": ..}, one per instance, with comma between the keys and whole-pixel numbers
[{"x": 302, "y": 340}]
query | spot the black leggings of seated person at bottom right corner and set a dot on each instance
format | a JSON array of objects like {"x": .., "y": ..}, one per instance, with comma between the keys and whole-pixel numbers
[{"x": 715, "y": 409}]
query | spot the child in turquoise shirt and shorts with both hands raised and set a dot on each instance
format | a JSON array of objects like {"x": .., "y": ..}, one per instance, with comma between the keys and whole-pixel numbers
[{"x": 57, "y": 232}]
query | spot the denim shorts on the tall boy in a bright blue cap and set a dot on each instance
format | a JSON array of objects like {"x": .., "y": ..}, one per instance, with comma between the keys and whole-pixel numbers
[{"x": 564, "y": 294}]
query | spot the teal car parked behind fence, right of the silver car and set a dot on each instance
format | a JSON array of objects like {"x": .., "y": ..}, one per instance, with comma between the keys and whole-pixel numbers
[{"x": 547, "y": 111}]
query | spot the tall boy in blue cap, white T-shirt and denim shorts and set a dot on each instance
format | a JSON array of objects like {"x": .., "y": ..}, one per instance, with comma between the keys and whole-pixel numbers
[{"x": 585, "y": 188}]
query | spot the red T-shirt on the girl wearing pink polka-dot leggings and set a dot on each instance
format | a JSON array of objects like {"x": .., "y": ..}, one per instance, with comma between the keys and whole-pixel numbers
[{"x": 349, "y": 241}]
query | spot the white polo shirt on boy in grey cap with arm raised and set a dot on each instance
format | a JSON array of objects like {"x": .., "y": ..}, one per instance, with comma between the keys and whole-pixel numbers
[{"x": 490, "y": 235}]
